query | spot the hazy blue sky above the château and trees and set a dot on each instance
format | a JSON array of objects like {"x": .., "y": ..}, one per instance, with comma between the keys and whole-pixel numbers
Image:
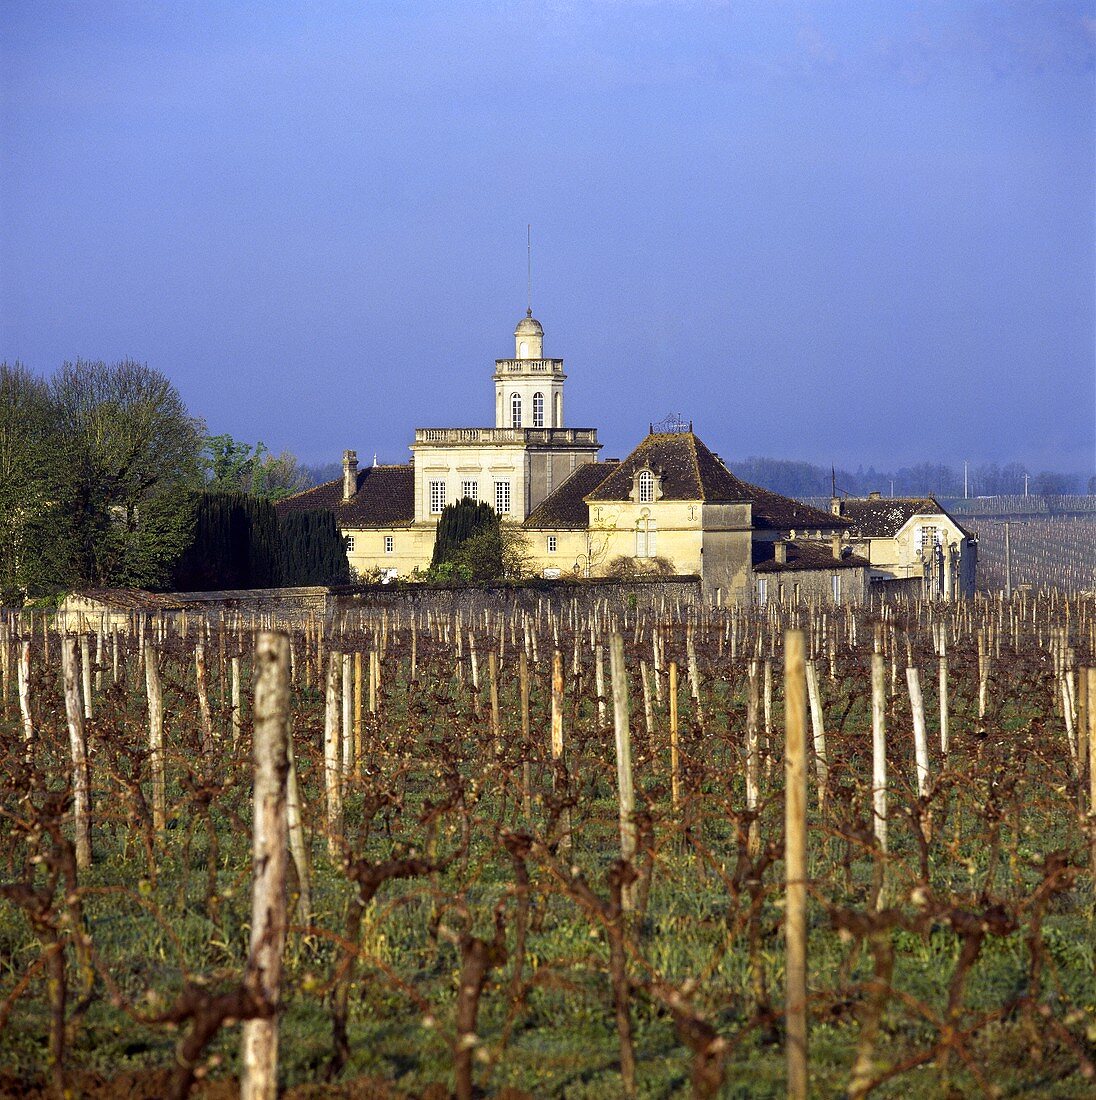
[{"x": 858, "y": 232}]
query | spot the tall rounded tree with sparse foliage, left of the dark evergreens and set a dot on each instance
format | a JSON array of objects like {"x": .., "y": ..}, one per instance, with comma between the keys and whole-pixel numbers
[{"x": 133, "y": 455}]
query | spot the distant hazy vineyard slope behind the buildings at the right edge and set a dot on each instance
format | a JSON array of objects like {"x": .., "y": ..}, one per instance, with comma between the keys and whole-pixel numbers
[{"x": 1055, "y": 551}]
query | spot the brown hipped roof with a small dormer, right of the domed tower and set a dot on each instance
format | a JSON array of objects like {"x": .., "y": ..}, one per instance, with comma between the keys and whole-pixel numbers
[{"x": 692, "y": 472}]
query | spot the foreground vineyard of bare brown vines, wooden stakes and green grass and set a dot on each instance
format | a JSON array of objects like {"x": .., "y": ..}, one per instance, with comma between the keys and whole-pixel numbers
[{"x": 551, "y": 854}]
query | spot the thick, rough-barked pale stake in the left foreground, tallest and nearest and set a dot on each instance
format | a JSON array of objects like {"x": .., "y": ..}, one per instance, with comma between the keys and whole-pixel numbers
[{"x": 270, "y": 849}]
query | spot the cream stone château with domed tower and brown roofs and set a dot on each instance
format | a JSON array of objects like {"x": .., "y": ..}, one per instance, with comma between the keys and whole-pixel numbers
[{"x": 672, "y": 500}]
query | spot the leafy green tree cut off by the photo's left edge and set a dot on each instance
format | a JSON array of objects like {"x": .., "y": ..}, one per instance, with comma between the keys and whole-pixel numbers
[{"x": 36, "y": 530}]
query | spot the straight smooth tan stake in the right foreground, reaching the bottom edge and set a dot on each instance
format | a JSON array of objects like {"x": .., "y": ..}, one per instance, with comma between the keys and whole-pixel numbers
[{"x": 795, "y": 692}]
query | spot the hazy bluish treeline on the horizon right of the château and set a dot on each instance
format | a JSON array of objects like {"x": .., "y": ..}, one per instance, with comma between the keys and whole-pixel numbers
[{"x": 804, "y": 479}]
